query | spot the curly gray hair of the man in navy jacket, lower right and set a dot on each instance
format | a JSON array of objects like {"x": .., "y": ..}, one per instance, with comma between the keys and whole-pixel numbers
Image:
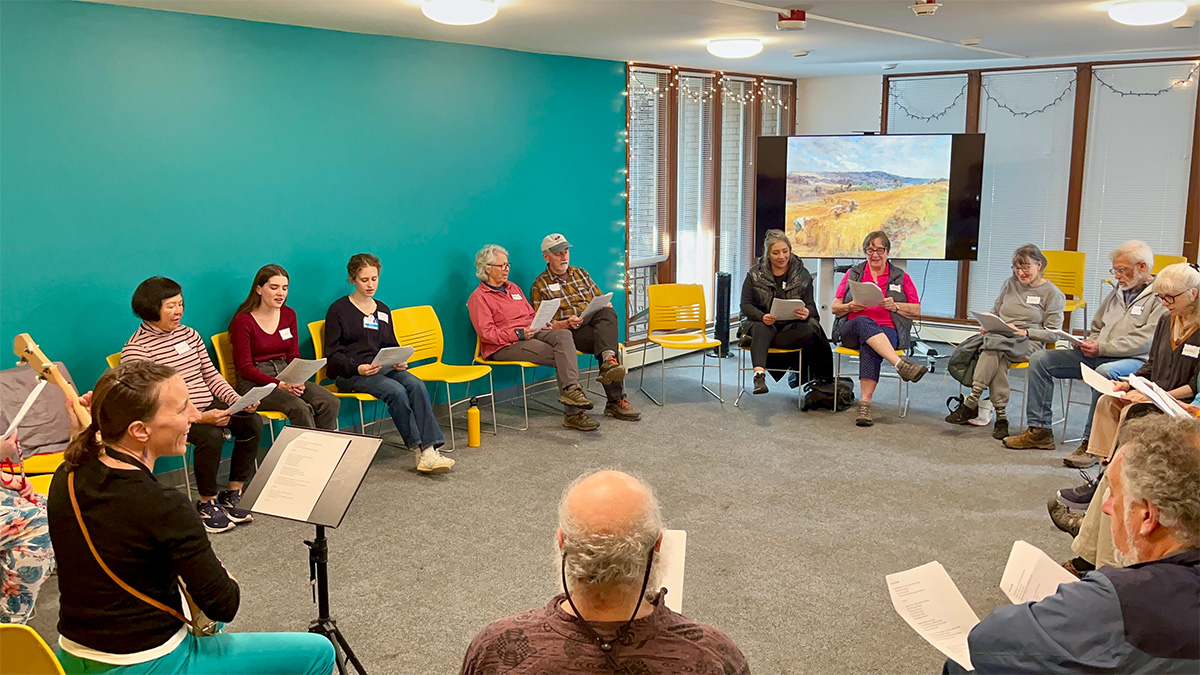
[{"x": 1161, "y": 464}]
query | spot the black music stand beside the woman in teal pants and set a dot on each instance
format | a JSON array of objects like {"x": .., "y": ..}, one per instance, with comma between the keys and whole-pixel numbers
[{"x": 328, "y": 512}]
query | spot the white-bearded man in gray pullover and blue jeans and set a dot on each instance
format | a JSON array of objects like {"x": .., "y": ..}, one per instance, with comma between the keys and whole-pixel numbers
[{"x": 1117, "y": 345}]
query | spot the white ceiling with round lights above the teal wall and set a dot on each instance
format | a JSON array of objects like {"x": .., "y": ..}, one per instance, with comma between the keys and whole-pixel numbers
[{"x": 674, "y": 32}]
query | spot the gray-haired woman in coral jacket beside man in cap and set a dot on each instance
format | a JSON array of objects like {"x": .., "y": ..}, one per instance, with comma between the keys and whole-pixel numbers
[{"x": 502, "y": 315}]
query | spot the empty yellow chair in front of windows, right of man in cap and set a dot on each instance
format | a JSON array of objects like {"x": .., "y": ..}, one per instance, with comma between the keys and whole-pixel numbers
[{"x": 677, "y": 320}]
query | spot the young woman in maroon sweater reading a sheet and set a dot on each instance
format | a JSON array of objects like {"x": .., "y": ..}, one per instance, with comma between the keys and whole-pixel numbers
[{"x": 265, "y": 337}]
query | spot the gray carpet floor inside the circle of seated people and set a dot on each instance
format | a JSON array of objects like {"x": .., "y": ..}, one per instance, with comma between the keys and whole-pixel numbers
[{"x": 793, "y": 522}]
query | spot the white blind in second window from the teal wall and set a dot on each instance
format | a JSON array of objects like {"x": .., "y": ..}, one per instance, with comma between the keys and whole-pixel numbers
[{"x": 695, "y": 237}]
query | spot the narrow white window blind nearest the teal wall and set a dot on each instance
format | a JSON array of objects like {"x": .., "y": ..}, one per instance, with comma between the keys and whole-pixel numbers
[{"x": 650, "y": 165}]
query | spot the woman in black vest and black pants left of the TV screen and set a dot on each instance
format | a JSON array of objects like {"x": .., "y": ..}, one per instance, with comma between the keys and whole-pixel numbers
[{"x": 781, "y": 274}]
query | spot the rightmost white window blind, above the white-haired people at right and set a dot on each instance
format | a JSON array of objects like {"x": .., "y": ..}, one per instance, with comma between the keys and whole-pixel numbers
[{"x": 1139, "y": 153}]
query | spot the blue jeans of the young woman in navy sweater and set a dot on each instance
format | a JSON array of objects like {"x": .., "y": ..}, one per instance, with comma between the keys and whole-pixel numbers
[{"x": 407, "y": 401}]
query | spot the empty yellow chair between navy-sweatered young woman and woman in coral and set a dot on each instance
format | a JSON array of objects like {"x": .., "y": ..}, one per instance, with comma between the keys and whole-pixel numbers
[{"x": 421, "y": 330}]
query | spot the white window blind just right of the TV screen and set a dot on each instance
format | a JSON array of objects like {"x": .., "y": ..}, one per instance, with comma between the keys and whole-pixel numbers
[{"x": 1029, "y": 118}]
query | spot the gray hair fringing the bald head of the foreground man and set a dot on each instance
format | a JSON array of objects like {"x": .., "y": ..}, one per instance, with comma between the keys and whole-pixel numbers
[{"x": 605, "y": 563}]
